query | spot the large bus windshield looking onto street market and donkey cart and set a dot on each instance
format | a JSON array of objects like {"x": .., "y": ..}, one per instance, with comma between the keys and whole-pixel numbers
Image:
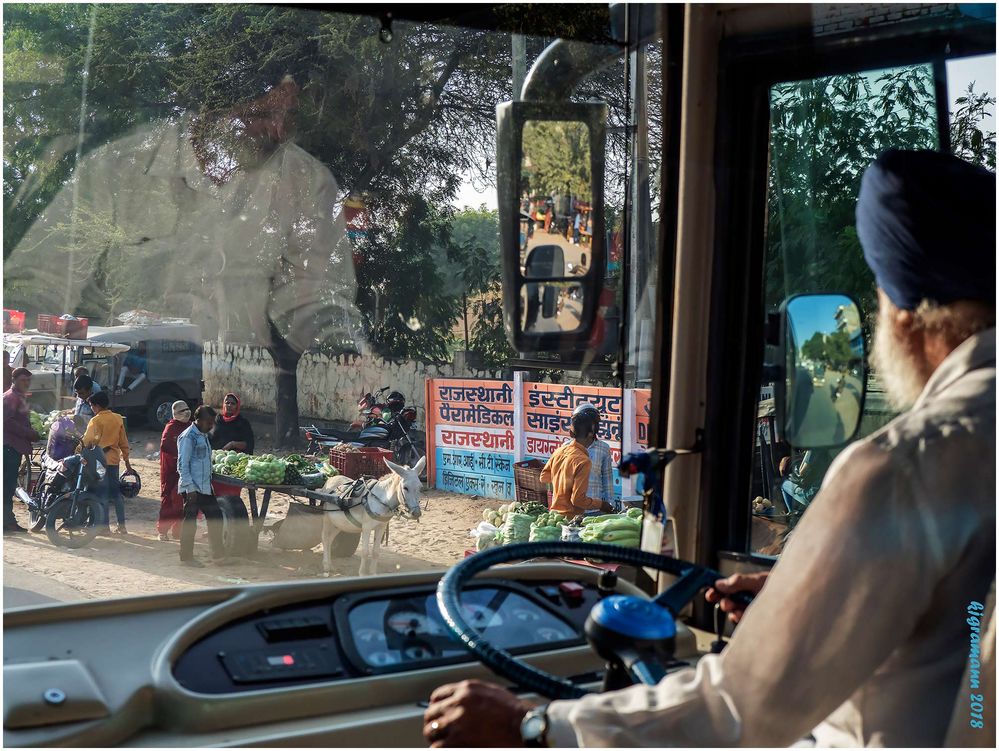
[{"x": 301, "y": 224}]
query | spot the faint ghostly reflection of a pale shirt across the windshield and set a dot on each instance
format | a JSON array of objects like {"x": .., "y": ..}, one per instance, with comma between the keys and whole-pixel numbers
[{"x": 140, "y": 220}]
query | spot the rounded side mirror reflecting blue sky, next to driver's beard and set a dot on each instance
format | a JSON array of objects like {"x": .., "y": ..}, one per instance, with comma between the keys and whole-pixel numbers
[{"x": 820, "y": 398}]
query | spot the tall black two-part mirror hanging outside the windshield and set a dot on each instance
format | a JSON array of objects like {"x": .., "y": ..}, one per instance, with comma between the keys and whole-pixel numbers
[{"x": 550, "y": 163}]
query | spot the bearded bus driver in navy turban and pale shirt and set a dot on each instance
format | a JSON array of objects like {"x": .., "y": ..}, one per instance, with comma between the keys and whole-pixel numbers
[{"x": 861, "y": 632}]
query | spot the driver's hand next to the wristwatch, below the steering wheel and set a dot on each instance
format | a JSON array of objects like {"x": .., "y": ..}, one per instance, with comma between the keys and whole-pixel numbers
[{"x": 473, "y": 713}]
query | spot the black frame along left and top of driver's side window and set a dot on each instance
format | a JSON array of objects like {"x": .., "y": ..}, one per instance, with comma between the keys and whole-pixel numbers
[{"x": 748, "y": 67}]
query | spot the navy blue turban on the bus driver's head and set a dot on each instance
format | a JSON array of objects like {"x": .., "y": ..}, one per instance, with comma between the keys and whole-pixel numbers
[{"x": 926, "y": 221}]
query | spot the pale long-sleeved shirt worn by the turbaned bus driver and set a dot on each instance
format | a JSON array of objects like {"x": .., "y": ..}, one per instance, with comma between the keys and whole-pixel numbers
[{"x": 860, "y": 634}]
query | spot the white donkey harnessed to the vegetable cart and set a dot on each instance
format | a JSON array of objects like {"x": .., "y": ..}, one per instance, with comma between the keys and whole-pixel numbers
[{"x": 370, "y": 510}]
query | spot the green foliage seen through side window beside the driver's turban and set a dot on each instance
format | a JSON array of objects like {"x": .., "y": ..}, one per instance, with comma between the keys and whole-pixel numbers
[{"x": 824, "y": 134}]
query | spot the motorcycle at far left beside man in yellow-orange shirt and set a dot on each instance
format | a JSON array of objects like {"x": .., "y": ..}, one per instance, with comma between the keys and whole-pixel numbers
[{"x": 66, "y": 501}]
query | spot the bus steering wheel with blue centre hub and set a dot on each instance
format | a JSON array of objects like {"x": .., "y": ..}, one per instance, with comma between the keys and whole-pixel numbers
[{"x": 632, "y": 632}]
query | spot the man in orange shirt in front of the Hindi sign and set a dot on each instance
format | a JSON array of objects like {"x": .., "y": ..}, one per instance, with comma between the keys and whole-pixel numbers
[{"x": 568, "y": 470}]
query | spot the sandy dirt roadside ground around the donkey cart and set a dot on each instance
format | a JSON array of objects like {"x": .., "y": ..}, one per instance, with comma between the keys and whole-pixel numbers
[{"x": 141, "y": 564}]
